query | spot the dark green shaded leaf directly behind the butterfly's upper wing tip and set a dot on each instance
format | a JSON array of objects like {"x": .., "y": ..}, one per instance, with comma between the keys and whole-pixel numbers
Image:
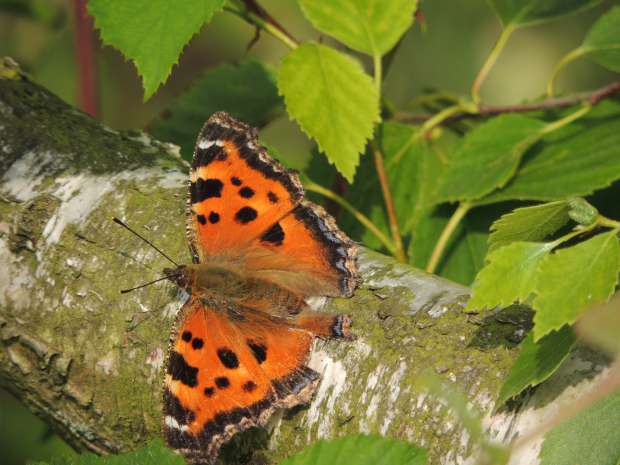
[{"x": 247, "y": 91}]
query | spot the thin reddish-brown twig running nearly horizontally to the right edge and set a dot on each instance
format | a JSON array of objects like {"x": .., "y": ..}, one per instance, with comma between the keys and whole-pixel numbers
[{"x": 593, "y": 98}]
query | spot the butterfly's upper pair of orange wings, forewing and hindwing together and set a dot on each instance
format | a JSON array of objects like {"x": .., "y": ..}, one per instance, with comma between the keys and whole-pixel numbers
[{"x": 247, "y": 209}]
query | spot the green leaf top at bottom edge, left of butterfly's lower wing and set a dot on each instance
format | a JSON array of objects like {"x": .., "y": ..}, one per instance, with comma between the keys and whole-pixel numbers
[{"x": 154, "y": 453}]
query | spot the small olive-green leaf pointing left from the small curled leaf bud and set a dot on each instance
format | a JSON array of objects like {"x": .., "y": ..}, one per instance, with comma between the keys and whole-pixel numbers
[{"x": 529, "y": 224}]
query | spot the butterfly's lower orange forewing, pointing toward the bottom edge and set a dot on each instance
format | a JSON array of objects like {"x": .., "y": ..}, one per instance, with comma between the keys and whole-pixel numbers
[{"x": 226, "y": 374}]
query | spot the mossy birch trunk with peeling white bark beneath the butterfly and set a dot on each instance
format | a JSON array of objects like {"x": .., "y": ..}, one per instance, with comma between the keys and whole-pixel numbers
[{"x": 88, "y": 360}]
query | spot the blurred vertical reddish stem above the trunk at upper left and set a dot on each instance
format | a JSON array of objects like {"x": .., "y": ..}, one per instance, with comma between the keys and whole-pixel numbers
[{"x": 84, "y": 50}]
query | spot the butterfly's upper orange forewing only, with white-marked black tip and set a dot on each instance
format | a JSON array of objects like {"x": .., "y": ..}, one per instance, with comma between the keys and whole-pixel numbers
[{"x": 236, "y": 190}]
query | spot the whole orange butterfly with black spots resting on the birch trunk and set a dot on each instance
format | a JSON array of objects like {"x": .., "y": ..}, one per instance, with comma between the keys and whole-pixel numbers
[{"x": 240, "y": 344}]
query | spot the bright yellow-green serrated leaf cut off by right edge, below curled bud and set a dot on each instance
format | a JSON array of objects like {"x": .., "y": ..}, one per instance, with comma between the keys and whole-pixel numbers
[{"x": 573, "y": 279}]
